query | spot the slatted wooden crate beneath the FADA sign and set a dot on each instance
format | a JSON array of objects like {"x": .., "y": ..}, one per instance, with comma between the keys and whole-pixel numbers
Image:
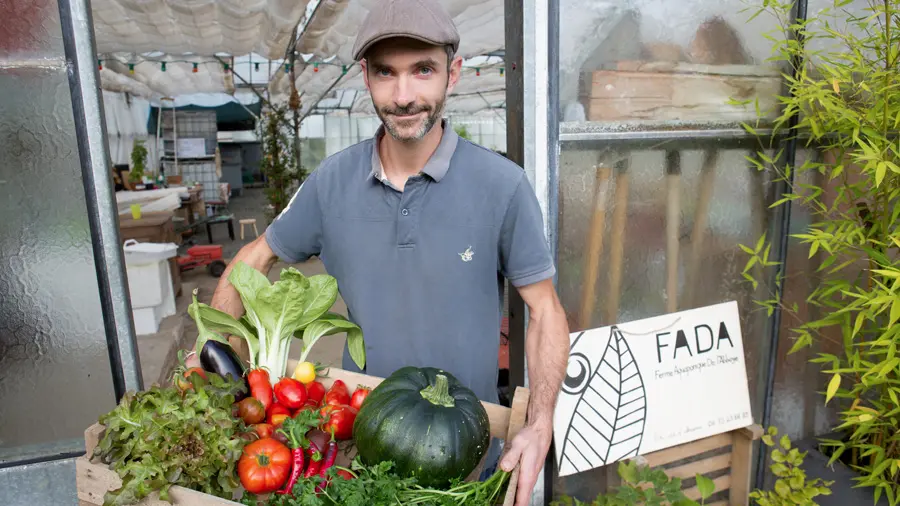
[{"x": 711, "y": 457}]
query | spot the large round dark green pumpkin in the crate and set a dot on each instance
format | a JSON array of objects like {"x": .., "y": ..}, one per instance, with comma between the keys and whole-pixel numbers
[{"x": 425, "y": 422}]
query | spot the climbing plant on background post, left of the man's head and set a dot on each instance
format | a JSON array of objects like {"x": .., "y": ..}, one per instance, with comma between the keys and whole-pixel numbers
[{"x": 278, "y": 163}]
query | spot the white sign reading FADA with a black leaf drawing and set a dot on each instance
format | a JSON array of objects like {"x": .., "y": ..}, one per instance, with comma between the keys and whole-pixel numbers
[{"x": 638, "y": 387}]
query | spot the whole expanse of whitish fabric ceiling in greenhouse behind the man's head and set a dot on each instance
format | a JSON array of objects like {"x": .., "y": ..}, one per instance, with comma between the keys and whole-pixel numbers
[{"x": 175, "y": 26}]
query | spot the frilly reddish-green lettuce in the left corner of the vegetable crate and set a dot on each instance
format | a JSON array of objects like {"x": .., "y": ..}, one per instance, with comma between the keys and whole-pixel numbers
[{"x": 162, "y": 437}]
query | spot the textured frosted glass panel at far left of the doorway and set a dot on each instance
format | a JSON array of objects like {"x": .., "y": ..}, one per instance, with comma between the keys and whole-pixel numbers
[{"x": 54, "y": 369}]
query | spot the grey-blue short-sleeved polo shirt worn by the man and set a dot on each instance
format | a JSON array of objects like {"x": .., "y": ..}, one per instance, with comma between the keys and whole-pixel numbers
[{"x": 421, "y": 270}]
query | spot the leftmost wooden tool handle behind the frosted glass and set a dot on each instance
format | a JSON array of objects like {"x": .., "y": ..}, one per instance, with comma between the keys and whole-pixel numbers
[{"x": 595, "y": 247}]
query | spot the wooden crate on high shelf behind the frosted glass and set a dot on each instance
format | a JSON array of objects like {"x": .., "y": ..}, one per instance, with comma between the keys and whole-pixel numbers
[{"x": 636, "y": 90}]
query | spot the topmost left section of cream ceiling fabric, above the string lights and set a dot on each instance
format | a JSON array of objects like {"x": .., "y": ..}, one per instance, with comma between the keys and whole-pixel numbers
[{"x": 202, "y": 27}]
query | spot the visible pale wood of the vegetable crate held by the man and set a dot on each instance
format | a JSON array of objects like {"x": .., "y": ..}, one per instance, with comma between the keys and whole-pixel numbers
[{"x": 94, "y": 478}]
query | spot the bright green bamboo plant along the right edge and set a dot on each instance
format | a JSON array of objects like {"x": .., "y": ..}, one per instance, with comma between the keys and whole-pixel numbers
[{"x": 846, "y": 100}]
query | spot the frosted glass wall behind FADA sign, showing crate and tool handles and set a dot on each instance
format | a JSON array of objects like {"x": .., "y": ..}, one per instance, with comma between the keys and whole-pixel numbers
[{"x": 656, "y": 192}]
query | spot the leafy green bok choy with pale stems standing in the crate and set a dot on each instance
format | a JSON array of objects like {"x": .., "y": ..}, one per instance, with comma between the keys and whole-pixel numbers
[{"x": 275, "y": 313}]
